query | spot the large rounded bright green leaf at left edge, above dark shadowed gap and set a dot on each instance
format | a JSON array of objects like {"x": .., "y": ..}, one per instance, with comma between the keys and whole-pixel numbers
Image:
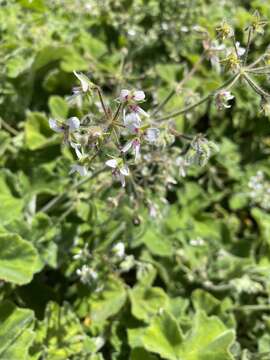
[{"x": 19, "y": 260}]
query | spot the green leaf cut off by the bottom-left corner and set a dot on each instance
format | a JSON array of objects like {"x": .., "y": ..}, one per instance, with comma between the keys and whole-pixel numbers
[{"x": 16, "y": 335}]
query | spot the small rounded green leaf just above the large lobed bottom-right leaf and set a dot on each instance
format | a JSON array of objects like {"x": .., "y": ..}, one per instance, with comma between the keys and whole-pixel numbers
[{"x": 146, "y": 302}]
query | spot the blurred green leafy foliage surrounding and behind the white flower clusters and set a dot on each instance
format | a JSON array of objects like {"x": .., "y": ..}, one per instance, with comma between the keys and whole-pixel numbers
[{"x": 201, "y": 289}]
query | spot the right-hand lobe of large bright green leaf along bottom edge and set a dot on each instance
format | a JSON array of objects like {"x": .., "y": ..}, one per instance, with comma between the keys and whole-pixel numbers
[{"x": 209, "y": 340}]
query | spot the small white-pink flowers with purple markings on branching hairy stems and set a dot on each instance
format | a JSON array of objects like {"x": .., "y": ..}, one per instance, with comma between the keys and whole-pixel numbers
[{"x": 145, "y": 154}]
